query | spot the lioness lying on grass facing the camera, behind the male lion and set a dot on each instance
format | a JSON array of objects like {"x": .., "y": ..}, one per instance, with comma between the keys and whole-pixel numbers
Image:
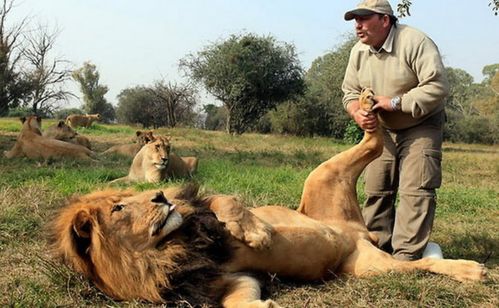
[{"x": 155, "y": 163}]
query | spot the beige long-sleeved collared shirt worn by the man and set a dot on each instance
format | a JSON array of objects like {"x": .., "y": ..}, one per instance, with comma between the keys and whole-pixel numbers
[{"x": 407, "y": 65}]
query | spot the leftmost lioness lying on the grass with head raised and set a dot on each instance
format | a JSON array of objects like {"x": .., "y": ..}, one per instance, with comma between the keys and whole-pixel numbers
[{"x": 32, "y": 144}]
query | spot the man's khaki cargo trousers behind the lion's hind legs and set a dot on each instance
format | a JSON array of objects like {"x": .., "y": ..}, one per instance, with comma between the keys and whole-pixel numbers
[{"x": 411, "y": 165}]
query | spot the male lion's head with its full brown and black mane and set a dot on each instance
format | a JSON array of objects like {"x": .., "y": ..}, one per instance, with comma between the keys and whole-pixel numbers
[{"x": 141, "y": 245}]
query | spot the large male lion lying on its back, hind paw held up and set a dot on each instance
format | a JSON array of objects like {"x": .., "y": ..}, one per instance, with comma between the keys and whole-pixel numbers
[{"x": 176, "y": 246}]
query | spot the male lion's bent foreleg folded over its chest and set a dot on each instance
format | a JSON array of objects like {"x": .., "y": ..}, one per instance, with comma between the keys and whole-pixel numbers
[{"x": 240, "y": 222}]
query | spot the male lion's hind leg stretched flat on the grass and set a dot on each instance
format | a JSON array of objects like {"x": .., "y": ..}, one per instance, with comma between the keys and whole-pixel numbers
[{"x": 368, "y": 260}]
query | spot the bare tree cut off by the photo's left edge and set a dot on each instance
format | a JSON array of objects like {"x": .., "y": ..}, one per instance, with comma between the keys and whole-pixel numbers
[{"x": 13, "y": 87}]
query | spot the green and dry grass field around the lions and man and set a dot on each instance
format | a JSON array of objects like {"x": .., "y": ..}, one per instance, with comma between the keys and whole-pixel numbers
[{"x": 261, "y": 169}]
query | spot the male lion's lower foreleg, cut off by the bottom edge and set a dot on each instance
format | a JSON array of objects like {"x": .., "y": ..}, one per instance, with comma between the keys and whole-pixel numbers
[{"x": 244, "y": 292}]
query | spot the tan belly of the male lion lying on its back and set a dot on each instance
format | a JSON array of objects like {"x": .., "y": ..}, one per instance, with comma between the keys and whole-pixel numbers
[{"x": 301, "y": 248}]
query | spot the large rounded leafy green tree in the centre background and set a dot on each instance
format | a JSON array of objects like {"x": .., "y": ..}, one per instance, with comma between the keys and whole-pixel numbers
[{"x": 249, "y": 74}]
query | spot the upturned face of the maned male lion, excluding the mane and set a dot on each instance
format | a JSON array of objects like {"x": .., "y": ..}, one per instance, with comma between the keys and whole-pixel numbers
[{"x": 137, "y": 222}]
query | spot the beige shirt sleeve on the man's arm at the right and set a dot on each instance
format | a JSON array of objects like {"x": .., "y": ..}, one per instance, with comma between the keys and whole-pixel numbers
[{"x": 432, "y": 86}]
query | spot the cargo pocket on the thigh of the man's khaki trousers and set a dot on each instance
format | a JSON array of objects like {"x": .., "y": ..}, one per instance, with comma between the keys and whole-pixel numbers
[{"x": 431, "y": 173}]
